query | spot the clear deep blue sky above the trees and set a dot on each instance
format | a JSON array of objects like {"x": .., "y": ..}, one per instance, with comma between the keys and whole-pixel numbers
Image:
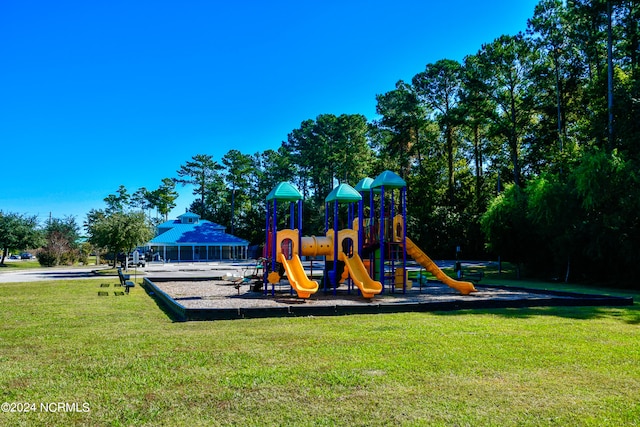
[{"x": 98, "y": 94}]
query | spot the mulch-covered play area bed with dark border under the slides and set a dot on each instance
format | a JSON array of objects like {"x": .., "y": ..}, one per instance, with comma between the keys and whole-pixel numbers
[{"x": 211, "y": 299}]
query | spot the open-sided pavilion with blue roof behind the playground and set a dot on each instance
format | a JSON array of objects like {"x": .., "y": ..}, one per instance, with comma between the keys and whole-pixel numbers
[{"x": 190, "y": 238}]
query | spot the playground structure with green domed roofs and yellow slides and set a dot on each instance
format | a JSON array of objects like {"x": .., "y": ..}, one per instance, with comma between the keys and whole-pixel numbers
[{"x": 370, "y": 251}]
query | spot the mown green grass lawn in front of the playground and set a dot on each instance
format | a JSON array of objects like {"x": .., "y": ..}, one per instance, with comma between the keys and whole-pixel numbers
[{"x": 122, "y": 359}]
